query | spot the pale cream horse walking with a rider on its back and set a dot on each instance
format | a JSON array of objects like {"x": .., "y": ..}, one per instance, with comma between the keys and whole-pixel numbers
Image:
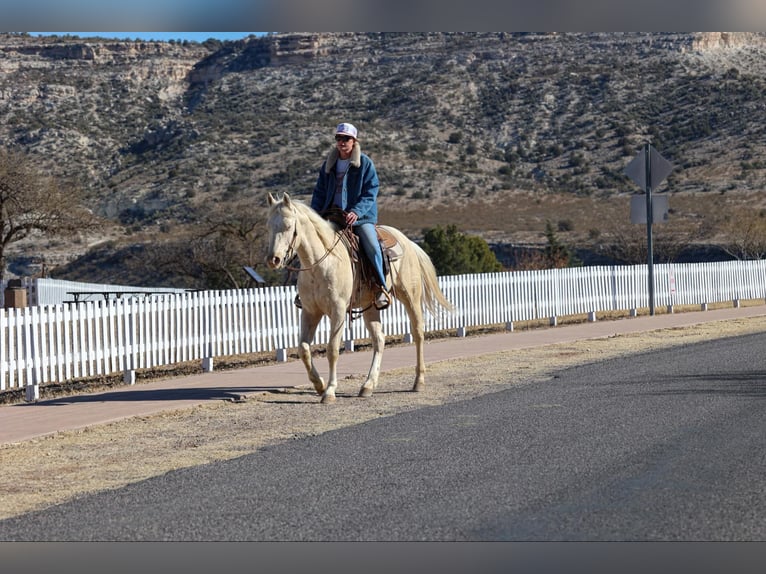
[{"x": 328, "y": 285}]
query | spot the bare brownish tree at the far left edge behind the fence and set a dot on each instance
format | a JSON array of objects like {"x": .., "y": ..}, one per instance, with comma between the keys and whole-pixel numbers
[{"x": 31, "y": 202}]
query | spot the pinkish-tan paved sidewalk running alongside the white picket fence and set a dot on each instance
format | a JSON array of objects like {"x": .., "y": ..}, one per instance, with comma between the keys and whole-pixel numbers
[{"x": 27, "y": 421}]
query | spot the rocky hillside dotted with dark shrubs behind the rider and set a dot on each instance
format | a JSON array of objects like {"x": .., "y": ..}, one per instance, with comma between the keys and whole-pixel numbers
[{"x": 496, "y": 133}]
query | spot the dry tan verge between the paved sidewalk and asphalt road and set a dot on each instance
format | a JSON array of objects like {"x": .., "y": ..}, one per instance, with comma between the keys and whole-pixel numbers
[{"x": 39, "y": 473}]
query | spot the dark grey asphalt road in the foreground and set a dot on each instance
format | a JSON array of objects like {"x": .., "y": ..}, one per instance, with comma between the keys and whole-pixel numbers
[{"x": 661, "y": 446}]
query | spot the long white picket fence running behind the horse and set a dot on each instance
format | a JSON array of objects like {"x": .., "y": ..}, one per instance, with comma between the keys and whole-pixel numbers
[{"x": 49, "y": 343}]
